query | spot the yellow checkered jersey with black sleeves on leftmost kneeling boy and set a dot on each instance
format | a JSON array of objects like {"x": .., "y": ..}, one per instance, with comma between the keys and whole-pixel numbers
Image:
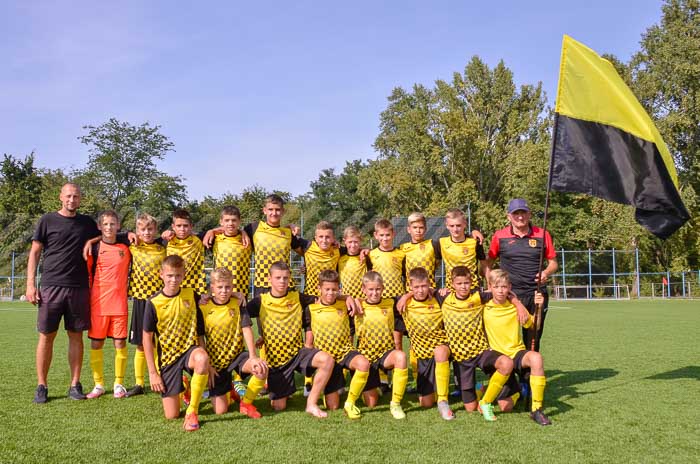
[{"x": 176, "y": 322}]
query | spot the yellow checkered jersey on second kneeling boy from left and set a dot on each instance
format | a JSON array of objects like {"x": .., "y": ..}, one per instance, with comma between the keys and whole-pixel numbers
[{"x": 223, "y": 331}]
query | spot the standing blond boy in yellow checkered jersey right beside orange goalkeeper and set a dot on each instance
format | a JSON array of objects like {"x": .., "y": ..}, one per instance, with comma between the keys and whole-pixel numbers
[{"x": 147, "y": 255}]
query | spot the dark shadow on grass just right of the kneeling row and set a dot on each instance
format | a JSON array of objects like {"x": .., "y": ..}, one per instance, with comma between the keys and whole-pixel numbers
[{"x": 563, "y": 386}]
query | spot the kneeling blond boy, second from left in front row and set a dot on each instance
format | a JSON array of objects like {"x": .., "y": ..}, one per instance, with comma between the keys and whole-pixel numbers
[{"x": 227, "y": 327}]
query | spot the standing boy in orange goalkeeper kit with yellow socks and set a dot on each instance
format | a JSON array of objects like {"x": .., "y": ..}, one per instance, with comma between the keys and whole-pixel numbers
[{"x": 108, "y": 266}]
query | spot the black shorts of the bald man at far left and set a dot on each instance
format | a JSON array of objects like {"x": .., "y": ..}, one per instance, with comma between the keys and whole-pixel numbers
[{"x": 71, "y": 303}]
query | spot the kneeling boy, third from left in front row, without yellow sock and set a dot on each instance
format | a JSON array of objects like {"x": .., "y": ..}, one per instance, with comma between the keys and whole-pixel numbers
[{"x": 280, "y": 314}]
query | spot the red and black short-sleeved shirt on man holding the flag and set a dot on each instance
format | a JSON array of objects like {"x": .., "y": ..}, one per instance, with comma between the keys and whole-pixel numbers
[{"x": 520, "y": 256}]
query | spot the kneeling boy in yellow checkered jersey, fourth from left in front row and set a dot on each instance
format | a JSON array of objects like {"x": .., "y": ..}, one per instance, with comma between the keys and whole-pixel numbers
[{"x": 328, "y": 328}]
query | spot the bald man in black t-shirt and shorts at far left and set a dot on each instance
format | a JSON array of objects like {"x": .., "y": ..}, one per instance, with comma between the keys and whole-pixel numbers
[{"x": 64, "y": 291}]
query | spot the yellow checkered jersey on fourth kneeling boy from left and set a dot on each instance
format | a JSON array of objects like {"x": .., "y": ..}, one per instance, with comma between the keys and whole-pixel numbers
[{"x": 330, "y": 325}]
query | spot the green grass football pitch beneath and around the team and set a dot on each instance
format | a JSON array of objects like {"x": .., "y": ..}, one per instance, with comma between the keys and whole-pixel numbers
[{"x": 623, "y": 386}]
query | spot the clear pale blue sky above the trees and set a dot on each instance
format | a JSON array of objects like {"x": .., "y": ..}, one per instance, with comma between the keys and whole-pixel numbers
[{"x": 267, "y": 93}]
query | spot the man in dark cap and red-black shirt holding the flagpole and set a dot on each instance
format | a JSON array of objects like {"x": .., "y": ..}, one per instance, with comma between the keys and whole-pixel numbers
[{"x": 517, "y": 247}]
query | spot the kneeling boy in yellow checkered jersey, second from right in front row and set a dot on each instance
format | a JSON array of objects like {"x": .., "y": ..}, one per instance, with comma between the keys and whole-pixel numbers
[{"x": 462, "y": 314}]
